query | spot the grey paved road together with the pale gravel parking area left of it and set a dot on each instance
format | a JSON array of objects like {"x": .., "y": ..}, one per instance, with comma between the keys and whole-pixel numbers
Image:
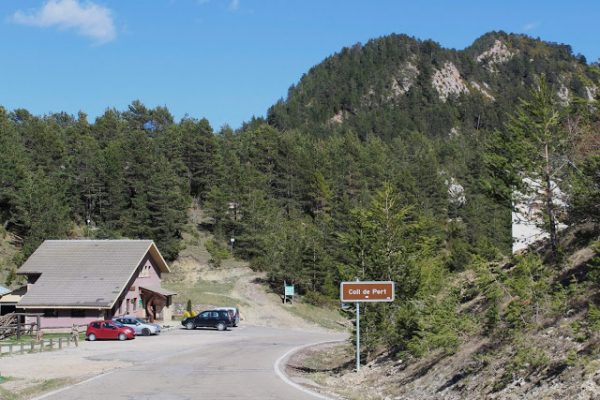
[{"x": 177, "y": 364}]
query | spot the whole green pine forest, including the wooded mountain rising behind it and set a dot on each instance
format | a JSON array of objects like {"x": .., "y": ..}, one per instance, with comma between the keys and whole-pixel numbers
[{"x": 393, "y": 160}]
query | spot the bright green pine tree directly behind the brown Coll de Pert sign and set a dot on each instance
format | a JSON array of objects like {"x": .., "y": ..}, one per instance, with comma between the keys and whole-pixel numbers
[{"x": 388, "y": 241}]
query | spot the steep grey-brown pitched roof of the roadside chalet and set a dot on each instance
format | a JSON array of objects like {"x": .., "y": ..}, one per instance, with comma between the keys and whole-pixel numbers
[{"x": 84, "y": 273}]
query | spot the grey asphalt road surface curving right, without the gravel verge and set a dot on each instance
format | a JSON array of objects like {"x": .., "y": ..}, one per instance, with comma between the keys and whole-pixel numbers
[{"x": 237, "y": 364}]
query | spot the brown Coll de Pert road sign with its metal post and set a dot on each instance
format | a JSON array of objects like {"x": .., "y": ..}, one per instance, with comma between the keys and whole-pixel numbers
[{"x": 365, "y": 292}]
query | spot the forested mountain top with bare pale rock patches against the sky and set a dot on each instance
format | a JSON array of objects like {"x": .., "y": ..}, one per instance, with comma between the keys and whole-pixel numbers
[{"x": 397, "y": 84}]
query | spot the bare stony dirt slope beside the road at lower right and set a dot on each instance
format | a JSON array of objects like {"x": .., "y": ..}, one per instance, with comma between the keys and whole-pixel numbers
[{"x": 557, "y": 358}]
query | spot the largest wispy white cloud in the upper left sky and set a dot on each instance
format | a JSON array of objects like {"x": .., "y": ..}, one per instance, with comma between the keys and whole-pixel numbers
[{"x": 88, "y": 19}]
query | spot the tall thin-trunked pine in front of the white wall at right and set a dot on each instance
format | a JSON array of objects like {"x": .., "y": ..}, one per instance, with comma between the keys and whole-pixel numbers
[{"x": 536, "y": 146}]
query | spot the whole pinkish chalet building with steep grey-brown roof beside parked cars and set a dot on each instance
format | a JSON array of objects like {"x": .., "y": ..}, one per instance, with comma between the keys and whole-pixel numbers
[{"x": 77, "y": 281}]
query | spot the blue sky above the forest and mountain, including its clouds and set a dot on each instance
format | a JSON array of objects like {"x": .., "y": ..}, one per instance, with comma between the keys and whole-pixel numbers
[{"x": 227, "y": 60}]
